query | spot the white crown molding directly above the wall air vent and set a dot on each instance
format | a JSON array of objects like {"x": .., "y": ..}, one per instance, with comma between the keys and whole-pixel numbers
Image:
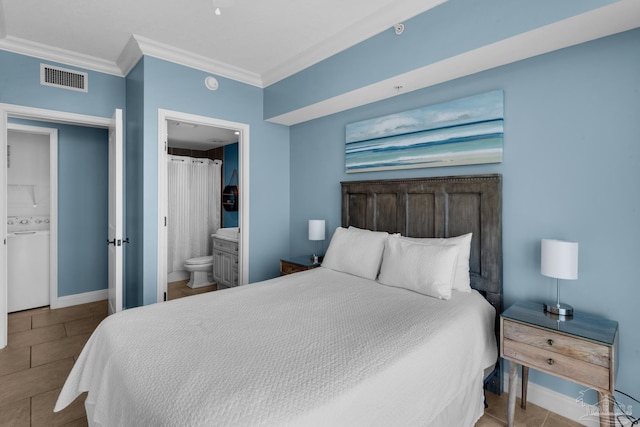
[{"x": 50, "y": 53}]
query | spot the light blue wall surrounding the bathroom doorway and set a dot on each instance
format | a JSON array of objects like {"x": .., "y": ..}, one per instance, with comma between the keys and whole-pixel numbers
[{"x": 178, "y": 88}]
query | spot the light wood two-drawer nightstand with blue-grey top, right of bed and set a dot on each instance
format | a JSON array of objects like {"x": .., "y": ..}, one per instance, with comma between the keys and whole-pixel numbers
[{"x": 581, "y": 349}]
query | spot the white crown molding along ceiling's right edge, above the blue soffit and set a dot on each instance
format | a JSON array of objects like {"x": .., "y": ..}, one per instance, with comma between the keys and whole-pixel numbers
[{"x": 362, "y": 30}]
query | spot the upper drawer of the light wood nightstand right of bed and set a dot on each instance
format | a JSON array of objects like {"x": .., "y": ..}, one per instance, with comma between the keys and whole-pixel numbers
[{"x": 575, "y": 348}]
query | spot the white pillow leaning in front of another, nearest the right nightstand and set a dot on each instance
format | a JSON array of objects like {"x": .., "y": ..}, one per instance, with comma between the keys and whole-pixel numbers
[{"x": 426, "y": 269}]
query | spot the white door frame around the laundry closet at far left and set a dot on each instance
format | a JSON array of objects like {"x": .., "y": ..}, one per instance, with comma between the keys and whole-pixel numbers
[{"x": 52, "y": 133}]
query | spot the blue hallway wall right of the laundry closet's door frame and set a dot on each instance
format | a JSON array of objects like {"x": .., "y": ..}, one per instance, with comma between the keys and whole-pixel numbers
[{"x": 83, "y": 192}]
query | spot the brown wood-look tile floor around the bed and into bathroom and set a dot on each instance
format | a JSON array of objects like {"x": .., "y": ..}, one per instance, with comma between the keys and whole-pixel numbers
[{"x": 44, "y": 343}]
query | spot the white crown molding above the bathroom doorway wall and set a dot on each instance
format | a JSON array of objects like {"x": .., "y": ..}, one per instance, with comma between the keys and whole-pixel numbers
[{"x": 169, "y": 53}]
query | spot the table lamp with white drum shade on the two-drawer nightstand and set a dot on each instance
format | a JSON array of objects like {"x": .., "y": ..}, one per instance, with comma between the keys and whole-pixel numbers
[{"x": 559, "y": 259}]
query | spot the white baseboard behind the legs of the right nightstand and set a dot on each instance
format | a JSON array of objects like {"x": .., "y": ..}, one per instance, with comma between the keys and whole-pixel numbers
[{"x": 561, "y": 404}]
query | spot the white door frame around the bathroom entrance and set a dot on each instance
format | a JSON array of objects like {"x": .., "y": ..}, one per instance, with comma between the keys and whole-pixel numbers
[{"x": 219, "y": 133}]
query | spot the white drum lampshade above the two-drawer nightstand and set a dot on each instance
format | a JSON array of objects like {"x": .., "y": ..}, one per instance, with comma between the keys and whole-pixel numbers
[{"x": 559, "y": 259}]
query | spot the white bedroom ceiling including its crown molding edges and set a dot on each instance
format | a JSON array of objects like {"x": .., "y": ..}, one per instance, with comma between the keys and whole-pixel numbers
[{"x": 261, "y": 41}]
